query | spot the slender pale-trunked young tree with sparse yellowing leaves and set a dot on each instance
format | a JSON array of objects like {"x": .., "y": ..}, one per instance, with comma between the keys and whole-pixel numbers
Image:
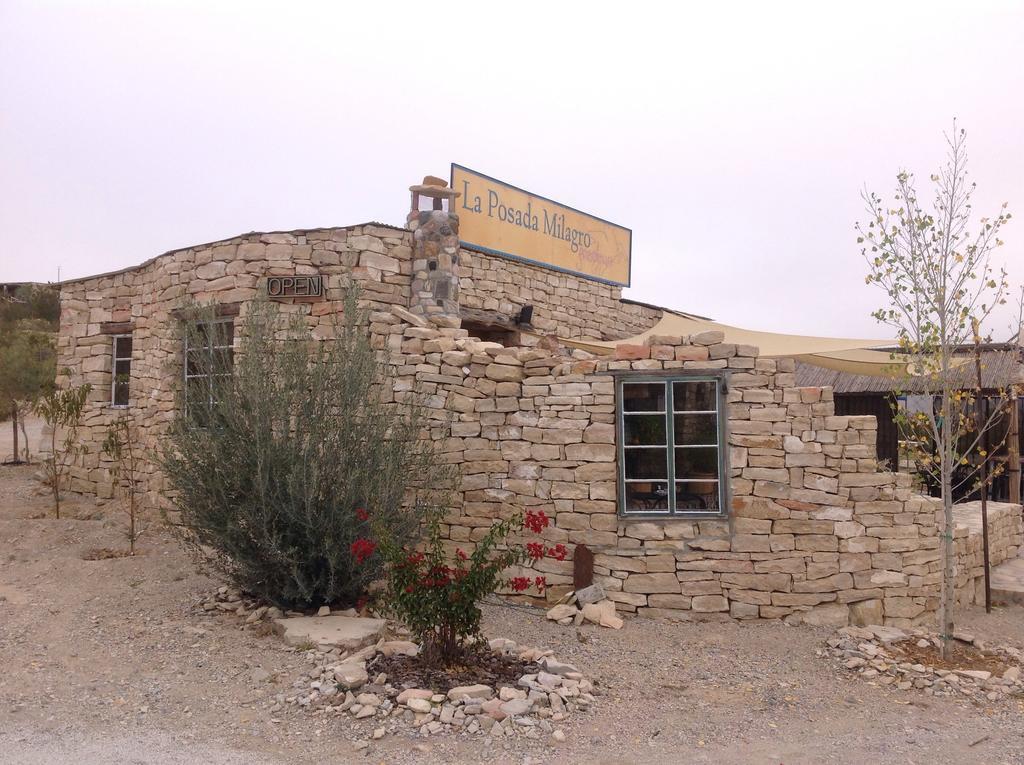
[{"x": 936, "y": 268}]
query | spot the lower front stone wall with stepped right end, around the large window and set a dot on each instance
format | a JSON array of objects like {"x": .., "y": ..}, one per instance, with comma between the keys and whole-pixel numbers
[{"x": 817, "y": 533}]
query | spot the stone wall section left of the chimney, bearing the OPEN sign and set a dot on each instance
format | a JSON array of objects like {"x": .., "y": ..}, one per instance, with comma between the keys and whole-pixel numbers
[{"x": 145, "y": 301}]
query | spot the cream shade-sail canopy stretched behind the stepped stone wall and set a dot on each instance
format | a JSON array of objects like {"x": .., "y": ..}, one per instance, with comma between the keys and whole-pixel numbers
[{"x": 845, "y": 355}]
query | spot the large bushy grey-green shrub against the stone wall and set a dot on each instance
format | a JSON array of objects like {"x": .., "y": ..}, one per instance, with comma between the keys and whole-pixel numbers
[{"x": 269, "y": 464}]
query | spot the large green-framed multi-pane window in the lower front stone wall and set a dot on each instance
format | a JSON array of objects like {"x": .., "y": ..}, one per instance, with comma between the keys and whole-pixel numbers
[{"x": 672, "y": 446}]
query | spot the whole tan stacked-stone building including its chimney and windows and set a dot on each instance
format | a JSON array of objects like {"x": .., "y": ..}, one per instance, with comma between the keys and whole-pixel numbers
[{"x": 704, "y": 481}]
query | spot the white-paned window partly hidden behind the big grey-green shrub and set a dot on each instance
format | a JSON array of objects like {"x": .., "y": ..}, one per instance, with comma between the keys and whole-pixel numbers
[{"x": 209, "y": 363}]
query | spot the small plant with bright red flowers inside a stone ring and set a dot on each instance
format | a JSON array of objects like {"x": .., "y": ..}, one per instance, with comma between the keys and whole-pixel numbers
[{"x": 438, "y": 596}]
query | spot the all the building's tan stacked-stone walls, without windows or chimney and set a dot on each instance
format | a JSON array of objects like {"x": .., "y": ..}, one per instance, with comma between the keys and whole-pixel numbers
[{"x": 815, "y": 531}]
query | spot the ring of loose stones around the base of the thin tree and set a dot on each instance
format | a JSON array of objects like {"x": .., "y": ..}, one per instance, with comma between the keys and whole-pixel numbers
[{"x": 868, "y": 652}]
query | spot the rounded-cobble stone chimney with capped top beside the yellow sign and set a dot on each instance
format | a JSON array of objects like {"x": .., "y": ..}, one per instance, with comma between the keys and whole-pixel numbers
[{"x": 436, "y": 253}]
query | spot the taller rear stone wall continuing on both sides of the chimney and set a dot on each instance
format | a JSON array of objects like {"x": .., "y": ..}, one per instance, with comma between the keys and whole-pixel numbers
[{"x": 380, "y": 259}]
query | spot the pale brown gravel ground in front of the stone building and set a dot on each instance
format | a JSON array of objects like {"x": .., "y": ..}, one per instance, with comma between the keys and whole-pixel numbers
[{"x": 112, "y": 662}]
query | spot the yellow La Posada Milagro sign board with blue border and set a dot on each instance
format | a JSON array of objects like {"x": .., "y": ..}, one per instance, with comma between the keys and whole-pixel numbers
[{"x": 505, "y": 221}]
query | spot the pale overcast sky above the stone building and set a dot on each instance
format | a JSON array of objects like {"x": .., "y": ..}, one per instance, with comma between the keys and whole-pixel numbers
[{"x": 733, "y": 139}]
